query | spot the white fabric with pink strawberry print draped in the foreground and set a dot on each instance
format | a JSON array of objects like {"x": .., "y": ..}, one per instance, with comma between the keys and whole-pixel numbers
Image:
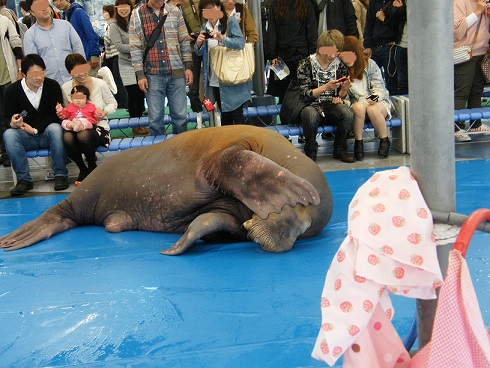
[{"x": 389, "y": 248}]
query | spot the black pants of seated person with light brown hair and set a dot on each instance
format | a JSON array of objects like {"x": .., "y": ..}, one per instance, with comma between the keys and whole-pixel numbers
[{"x": 339, "y": 115}]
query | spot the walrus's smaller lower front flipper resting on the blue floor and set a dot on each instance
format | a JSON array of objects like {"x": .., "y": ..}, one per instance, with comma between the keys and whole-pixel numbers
[{"x": 202, "y": 225}]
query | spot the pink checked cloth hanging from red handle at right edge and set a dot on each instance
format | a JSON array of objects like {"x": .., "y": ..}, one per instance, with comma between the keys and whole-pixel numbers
[{"x": 459, "y": 338}]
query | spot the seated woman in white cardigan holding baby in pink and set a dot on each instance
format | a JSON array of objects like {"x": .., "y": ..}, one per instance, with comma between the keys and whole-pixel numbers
[{"x": 86, "y": 141}]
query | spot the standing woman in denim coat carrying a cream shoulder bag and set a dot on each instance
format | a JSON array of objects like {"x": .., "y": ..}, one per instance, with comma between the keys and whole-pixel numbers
[{"x": 225, "y": 31}]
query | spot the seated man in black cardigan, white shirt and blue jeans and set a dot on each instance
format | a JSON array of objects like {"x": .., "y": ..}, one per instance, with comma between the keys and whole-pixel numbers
[{"x": 30, "y": 114}]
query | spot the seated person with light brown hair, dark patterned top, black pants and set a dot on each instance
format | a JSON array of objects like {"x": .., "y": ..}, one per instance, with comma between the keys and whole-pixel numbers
[{"x": 319, "y": 78}]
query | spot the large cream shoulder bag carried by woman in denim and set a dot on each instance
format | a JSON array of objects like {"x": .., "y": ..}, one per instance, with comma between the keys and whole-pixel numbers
[{"x": 233, "y": 66}]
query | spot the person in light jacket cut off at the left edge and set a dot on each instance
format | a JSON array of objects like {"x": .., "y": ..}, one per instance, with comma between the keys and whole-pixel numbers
[{"x": 10, "y": 56}]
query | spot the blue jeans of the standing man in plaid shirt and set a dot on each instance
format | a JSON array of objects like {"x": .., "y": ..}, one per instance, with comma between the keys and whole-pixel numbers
[{"x": 159, "y": 87}]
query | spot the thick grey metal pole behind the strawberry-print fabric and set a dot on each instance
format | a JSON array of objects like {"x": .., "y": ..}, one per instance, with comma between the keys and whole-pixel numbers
[{"x": 431, "y": 79}]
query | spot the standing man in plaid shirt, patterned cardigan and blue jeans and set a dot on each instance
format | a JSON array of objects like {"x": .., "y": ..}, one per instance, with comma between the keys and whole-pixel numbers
[{"x": 167, "y": 68}]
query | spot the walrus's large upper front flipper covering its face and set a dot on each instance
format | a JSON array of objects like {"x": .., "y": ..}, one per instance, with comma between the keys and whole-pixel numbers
[{"x": 259, "y": 183}]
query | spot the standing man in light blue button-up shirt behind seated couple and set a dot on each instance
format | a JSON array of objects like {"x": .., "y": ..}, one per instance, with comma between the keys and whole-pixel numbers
[{"x": 52, "y": 39}]
